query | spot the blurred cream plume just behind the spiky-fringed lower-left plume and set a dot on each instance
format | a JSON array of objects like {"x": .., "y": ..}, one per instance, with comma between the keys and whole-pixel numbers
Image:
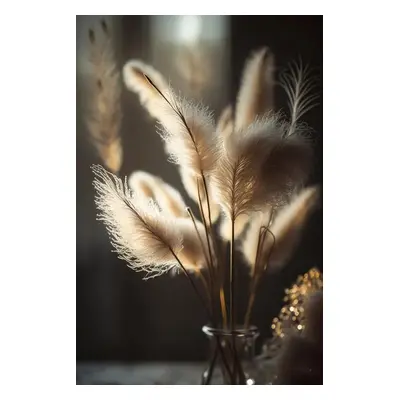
[{"x": 168, "y": 198}]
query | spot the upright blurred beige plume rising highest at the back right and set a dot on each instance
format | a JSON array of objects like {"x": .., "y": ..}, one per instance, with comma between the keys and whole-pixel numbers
[{"x": 255, "y": 96}]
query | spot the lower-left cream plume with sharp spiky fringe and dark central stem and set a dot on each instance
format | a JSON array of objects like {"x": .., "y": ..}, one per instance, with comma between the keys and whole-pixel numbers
[{"x": 135, "y": 225}]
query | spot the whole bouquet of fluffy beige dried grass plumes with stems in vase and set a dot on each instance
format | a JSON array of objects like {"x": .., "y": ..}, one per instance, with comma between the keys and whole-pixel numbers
[{"x": 247, "y": 170}]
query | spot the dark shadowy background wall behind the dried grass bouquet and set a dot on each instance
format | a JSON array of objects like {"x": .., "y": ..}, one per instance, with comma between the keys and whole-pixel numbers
[{"x": 122, "y": 317}]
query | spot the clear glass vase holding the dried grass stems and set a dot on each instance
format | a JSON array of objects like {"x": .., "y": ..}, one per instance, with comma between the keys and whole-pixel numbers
[{"x": 232, "y": 356}]
